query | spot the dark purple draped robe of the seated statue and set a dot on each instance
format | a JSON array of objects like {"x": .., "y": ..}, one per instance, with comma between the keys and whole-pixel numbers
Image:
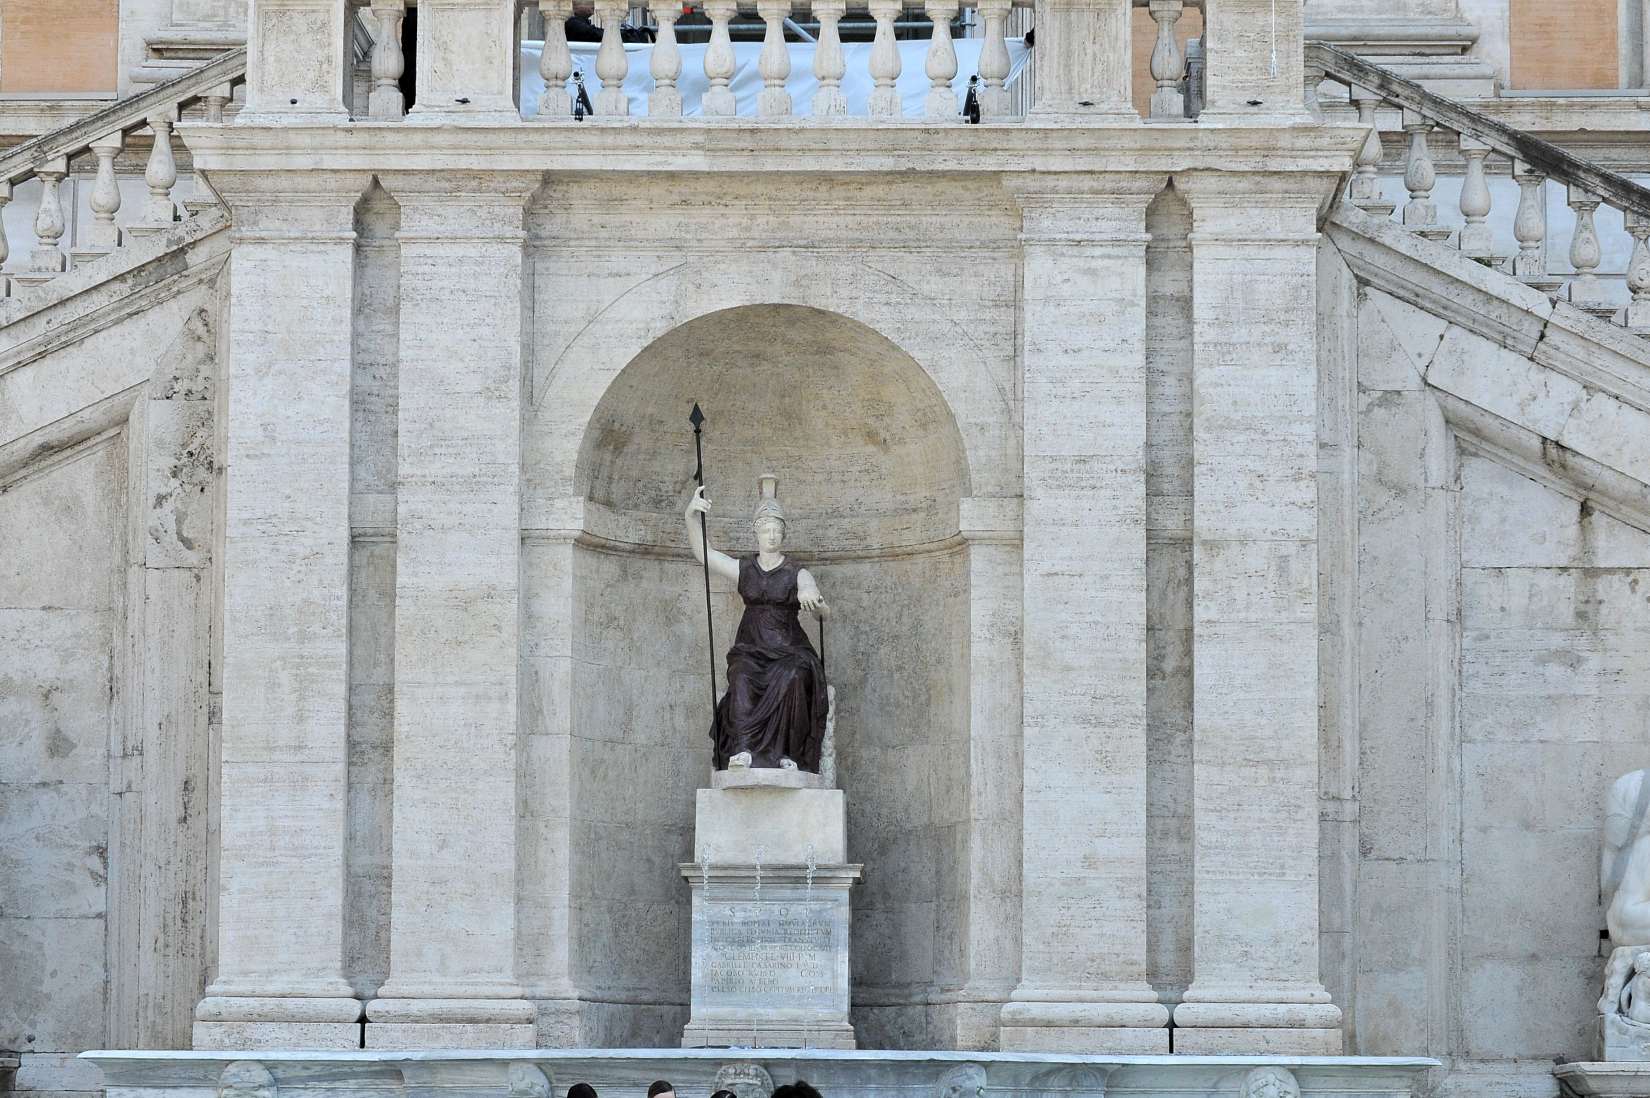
[{"x": 776, "y": 683}]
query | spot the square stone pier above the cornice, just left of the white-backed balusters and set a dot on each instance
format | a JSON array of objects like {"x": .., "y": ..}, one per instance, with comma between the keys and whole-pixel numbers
[{"x": 466, "y": 62}]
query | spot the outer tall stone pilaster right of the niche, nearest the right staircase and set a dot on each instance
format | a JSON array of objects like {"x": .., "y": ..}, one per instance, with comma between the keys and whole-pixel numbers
[{"x": 1255, "y": 622}]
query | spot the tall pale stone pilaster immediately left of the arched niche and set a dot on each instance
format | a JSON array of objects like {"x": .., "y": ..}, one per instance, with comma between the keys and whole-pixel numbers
[{"x": 453, "y": 949}]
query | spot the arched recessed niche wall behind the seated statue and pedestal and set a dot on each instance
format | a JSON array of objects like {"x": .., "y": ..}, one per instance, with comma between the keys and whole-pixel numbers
[{"x": 870, "y": 466}]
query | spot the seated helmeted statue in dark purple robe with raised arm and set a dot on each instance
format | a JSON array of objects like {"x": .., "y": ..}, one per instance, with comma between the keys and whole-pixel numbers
[{"x": 775, "y": 711}]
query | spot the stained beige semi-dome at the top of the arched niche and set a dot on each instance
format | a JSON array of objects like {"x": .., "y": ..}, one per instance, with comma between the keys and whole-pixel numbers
[{"x": 864, "y": 445}]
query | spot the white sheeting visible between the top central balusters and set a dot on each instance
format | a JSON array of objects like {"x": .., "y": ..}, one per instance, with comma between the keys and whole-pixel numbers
[{"x": 747, "y": 82}]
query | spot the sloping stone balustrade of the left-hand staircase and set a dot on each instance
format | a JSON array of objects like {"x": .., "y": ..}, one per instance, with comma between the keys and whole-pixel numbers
[{"x": 103, "y": 138}]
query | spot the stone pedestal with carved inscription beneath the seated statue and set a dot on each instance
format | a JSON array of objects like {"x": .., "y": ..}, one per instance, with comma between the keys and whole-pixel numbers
[{"x": 770, "y": 916}]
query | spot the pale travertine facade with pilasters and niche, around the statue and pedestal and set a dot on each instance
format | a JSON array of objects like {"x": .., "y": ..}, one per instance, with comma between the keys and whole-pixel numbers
[{"x": 1240, "y": 602}]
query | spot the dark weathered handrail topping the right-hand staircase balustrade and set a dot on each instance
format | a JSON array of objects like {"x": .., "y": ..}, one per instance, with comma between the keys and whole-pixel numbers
[{"x": 1542, "y": 156}]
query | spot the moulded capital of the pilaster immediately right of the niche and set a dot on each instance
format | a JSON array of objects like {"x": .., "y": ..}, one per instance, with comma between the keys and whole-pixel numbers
[{"x": 1087, "y": 209}]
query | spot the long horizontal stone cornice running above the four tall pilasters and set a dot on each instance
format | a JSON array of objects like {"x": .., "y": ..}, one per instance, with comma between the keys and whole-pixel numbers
[{"x": 773, "y": 148}]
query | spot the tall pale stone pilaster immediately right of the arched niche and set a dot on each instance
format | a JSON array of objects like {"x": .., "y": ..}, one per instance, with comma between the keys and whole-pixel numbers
[{"x": 1083, "y": 978}]
